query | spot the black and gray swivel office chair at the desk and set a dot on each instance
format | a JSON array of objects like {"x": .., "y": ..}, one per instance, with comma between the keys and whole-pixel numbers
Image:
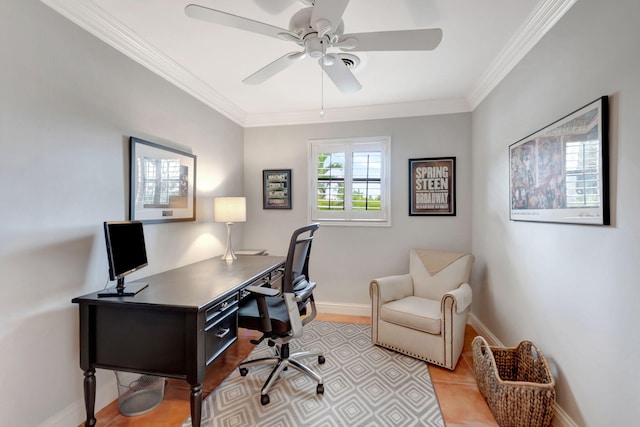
[{"x": 279, "y": 314}]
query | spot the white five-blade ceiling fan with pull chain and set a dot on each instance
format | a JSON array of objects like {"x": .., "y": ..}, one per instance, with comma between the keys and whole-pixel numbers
[{"x": 316, "y": 28}]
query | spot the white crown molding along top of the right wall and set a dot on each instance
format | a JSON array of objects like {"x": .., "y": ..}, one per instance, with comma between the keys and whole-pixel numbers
[{"x": 546, "y": 14}]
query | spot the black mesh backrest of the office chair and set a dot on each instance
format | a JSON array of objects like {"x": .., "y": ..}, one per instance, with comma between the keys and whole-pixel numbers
[{"x": 296, "y": 267}]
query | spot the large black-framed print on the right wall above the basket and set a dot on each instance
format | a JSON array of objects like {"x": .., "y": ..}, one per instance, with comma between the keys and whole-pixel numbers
[{"x": 561, "y": 172}]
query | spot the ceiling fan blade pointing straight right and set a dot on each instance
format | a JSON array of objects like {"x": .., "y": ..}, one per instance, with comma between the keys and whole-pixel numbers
[{"x": 426, "y": 39}]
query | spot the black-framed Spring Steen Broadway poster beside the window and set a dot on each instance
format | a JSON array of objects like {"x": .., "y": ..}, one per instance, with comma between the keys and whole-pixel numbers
[{"x": 432, "y": 186}]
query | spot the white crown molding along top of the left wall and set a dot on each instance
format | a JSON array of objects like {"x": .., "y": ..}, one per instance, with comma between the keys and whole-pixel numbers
[{"x": 103, "y": 25}]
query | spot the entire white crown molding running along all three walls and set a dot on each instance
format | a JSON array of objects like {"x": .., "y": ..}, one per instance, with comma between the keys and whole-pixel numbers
[{"x": 101, "y": 24}]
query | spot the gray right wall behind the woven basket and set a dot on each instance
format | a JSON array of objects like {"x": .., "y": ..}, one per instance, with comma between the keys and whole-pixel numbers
[{"x": 573, "y": 289}]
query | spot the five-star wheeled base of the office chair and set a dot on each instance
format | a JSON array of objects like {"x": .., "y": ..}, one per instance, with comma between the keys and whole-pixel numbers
[{"x": 282, "y": 361}]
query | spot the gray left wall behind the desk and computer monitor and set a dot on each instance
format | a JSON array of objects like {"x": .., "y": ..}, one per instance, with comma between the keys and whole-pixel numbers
[{"x": 68, "y": 103}]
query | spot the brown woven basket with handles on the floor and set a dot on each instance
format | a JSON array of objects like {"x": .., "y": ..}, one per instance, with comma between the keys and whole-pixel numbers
[{"x": 516, "y": 383}]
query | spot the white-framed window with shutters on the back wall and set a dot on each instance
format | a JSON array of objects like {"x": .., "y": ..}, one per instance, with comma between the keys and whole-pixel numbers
[{"x": 349, "y": 181}]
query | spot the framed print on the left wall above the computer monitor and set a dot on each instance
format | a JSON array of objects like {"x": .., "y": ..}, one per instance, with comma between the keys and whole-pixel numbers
[{"x": 163, "y": 183}]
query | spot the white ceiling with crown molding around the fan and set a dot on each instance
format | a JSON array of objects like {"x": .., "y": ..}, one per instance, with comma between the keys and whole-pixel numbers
[{"x": 482, "y": 41}]
